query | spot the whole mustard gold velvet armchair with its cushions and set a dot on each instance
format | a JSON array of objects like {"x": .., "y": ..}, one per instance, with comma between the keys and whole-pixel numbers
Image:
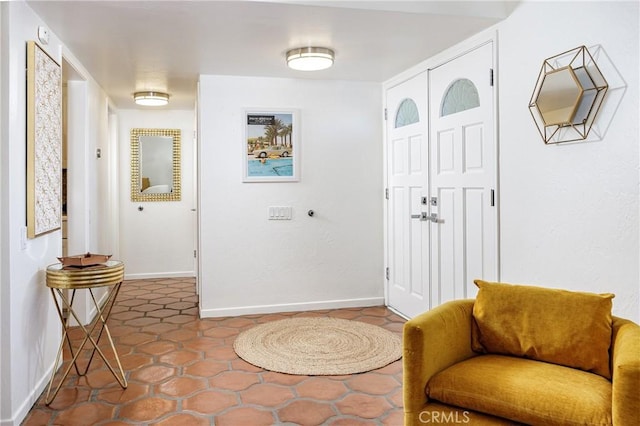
[{"x": 455, "y": 374}]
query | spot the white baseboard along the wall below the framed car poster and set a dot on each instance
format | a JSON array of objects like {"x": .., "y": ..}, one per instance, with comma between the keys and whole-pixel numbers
[{"x": 291, "y": 307}]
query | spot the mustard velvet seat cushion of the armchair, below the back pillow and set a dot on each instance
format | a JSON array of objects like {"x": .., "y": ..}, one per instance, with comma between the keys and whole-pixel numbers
[{"x": 525, "y": 391}]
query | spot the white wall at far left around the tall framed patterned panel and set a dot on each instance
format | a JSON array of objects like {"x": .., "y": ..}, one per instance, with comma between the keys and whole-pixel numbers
[{"x": 28, "y": 351}]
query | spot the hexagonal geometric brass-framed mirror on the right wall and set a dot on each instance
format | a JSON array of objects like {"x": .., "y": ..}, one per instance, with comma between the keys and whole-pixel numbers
[{"x": 567, "y": 97}]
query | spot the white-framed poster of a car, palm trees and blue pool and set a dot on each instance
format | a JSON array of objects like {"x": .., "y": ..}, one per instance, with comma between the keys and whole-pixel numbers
[{"x": 271, "y": 145}]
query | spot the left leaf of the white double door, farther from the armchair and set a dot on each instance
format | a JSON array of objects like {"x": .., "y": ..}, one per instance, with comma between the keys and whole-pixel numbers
[{"x": 407, "y": 173}]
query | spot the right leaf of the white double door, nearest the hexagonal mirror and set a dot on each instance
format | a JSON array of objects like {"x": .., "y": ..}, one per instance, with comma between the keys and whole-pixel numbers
[{"x": 464, "y": 239}]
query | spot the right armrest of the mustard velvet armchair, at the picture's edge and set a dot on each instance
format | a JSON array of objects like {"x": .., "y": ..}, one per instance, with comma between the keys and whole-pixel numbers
[{"x": 625, "y": 372}]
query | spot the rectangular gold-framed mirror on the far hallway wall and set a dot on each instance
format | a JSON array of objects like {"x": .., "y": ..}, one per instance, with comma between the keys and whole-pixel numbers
[{"x": 155, "y": 164}]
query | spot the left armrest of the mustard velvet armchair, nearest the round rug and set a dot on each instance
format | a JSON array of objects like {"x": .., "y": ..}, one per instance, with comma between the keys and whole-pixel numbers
[{"x": 431, "y": 342}]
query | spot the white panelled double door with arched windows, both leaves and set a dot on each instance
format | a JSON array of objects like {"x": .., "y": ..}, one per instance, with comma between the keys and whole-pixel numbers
[{"x": 441, "y": 183}]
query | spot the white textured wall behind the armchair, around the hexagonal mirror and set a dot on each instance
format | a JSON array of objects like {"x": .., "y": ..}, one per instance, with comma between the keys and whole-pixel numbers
[{"x": 569, "y": 213}]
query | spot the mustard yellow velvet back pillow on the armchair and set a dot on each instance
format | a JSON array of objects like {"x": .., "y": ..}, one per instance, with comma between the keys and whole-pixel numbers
[{"x": 558, "y": 326}]
